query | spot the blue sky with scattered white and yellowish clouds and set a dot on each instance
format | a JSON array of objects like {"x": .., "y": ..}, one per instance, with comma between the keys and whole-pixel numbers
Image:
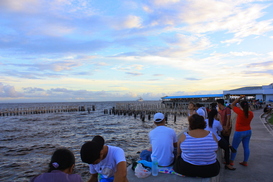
[{"x": 119, "y": 50}]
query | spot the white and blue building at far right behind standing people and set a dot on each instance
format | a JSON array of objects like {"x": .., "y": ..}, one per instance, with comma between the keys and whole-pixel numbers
[{"x": 264, "y": 93}]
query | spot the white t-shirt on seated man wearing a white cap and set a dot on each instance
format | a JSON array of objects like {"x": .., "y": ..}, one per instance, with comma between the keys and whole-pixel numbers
[{"x": 162, "y": 139}]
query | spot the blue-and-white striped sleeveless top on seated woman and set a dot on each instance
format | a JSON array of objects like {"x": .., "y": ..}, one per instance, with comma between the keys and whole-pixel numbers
[{"x": 199, "y": 151}]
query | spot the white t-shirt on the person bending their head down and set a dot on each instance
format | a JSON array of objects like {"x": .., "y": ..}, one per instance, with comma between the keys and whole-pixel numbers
[{"x": 108, "y": 166}]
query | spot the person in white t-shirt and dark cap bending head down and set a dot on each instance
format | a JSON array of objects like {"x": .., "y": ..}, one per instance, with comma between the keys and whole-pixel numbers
[{"x": 106, "y": 163}]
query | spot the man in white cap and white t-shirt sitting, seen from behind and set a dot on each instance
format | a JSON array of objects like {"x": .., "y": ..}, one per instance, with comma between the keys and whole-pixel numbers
[{"x": 163, "y": 141}]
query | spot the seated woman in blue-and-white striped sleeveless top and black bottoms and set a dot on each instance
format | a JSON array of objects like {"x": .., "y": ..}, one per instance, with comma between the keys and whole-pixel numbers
[{"x": 196, "y": 151}]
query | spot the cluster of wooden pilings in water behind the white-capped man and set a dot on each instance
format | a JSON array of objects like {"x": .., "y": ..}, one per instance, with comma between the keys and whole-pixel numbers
[{"x": 146, "y": 110}]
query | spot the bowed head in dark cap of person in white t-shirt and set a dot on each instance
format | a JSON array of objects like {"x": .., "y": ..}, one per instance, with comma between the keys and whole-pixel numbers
[{"x": 91, "y": 151}]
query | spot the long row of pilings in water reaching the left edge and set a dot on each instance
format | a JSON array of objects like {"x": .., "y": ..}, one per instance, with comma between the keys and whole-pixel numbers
[{"x": 42, "y": 110}]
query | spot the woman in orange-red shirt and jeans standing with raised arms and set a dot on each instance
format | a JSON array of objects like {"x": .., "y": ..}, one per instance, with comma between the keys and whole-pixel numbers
[{"x": 242, "y": 128}]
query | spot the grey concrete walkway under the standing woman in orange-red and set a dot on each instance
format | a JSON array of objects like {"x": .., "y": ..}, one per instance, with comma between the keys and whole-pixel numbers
[{"x": 260, "y": 162}]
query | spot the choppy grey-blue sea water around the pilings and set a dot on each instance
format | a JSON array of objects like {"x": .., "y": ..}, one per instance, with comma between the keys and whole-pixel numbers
[{"x": 28, "y": 141}]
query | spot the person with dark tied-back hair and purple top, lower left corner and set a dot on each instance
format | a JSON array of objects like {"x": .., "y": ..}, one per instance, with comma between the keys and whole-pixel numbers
[{"x": 61, "y": 168}]
